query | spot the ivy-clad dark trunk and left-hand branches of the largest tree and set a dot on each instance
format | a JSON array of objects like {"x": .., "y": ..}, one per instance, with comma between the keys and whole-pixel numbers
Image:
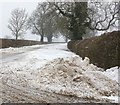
[{"x": 76, "y": 13}]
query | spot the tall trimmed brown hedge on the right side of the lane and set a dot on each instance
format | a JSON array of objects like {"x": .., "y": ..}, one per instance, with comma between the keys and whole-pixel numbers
[{"x": 103, "y": 51}]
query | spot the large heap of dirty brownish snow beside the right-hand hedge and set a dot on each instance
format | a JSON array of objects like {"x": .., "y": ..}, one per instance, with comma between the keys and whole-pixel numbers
[{"x": 76, "y": 77}]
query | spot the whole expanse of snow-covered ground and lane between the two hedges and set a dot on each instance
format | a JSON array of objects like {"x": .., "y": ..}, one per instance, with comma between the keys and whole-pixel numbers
[{"x": 51, "y": 73}]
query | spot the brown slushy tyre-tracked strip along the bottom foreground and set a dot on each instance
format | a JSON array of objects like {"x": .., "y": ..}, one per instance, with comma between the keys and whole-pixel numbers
[{"x": 23, "y": 95}]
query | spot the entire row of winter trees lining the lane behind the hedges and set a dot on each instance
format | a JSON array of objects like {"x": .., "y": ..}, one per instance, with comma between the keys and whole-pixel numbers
[{"x": 73, "y": 19}]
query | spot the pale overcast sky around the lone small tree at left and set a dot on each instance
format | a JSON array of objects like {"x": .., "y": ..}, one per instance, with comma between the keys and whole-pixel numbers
[{"x": 7, "y": 6}]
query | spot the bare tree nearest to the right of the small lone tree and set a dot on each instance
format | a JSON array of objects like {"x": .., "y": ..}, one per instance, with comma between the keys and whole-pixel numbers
[{"x": 37, "y": 20}]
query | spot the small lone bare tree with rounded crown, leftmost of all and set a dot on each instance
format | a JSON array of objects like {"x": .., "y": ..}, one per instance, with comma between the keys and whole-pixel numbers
[{"x": 17, "y": 22}]
